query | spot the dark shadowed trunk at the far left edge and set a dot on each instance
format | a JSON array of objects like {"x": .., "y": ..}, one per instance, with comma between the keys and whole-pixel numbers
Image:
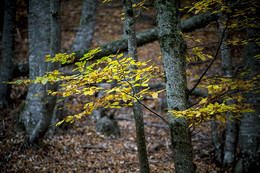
[{"x": 8, "y": 55}]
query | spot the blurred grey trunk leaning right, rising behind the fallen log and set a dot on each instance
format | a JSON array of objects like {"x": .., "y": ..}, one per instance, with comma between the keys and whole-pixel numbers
[{"x": 87, "y": 26}]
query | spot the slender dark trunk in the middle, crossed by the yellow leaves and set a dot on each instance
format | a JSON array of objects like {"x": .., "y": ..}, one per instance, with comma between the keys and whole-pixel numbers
[{"x": 138, "y": 113}]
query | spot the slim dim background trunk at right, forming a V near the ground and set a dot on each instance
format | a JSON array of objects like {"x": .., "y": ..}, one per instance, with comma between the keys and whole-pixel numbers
[{"x": 225, "y": 157}]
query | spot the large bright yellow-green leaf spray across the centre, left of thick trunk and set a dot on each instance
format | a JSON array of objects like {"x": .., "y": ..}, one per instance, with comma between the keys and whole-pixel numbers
[{"x": 127, "y": 72}]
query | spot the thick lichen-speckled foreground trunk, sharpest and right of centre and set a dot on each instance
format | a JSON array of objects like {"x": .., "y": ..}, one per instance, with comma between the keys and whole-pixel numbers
[{"x": 173, "y": 50}]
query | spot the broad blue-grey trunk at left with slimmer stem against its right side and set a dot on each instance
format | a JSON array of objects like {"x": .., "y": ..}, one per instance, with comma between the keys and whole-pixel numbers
[{"x": 36, "y": 116}]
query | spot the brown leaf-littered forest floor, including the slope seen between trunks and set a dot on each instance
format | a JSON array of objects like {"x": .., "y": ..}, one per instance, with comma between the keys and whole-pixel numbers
[{"x": 81, "y": 148}]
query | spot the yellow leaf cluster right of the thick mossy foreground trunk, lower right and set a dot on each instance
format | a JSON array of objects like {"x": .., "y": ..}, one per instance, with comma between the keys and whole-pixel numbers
[{"x": 221, "y": 91}]
